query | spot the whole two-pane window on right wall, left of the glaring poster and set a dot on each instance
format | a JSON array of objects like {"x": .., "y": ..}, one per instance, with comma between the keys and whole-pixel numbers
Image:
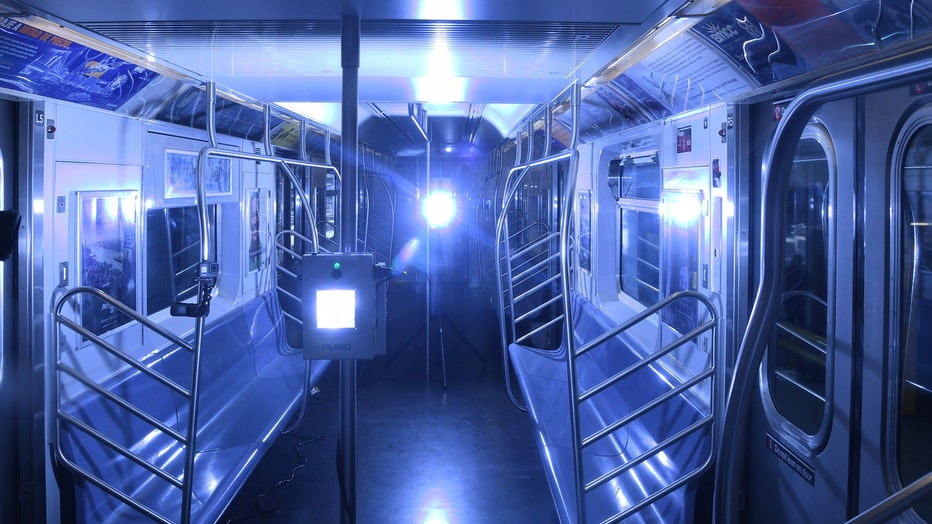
[{"x": 639, "y": 222}]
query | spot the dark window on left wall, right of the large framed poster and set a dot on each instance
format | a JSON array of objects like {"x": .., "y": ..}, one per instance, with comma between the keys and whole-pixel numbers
[{"x": 173, "y": 249}]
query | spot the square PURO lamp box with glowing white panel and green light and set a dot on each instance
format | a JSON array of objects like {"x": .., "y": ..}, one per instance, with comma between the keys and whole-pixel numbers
[{"x": 339, "y": 306}]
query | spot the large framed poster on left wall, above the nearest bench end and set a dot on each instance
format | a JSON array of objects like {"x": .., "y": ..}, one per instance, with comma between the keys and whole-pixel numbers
[{"x": 107, "y": 235}]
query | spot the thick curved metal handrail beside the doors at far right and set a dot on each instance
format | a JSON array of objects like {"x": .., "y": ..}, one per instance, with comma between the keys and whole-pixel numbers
[{"x": 776, "y": 164}]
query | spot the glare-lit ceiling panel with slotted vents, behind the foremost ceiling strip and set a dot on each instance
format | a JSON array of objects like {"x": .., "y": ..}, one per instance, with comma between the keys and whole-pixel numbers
[{"x": 388, "y": 48}]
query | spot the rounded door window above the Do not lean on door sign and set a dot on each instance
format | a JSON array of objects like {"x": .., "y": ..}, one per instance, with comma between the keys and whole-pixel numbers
[{"x": 797, "y": 368}]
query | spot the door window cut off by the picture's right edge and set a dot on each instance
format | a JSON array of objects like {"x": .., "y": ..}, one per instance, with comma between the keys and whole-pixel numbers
[{"x": 915, "y": 411}]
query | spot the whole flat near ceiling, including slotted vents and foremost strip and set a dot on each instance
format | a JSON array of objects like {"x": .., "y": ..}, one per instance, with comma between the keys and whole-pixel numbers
[{"x": 505, "y": 53}]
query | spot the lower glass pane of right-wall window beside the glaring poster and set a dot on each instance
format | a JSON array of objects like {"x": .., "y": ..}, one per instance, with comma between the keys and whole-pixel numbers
[{"x": 640, "y": 255}]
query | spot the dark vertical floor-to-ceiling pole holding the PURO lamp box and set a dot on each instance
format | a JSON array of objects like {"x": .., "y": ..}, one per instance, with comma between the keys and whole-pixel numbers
[{"x": 349, "y": 39}]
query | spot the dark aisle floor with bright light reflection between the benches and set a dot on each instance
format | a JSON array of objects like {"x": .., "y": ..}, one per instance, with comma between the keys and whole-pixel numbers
[{"x": 425, "y": 454}]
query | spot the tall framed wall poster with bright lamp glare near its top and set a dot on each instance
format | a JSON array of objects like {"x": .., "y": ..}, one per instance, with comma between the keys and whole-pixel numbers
[{"x": 682, "y": 232}]
